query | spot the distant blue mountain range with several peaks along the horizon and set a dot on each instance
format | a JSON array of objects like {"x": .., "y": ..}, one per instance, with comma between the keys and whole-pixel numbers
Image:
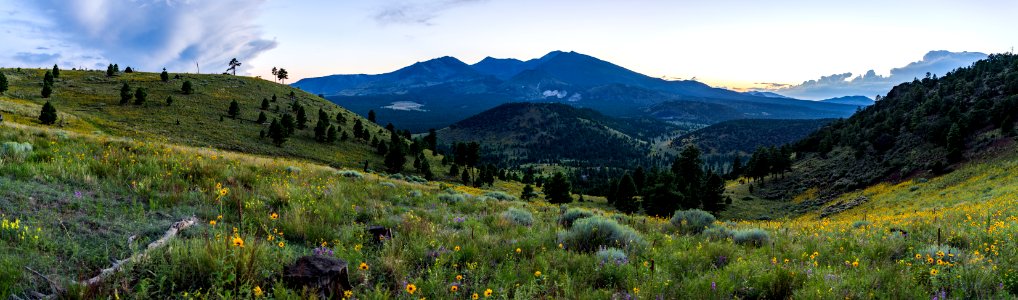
[{"x": 438, "y": 93}]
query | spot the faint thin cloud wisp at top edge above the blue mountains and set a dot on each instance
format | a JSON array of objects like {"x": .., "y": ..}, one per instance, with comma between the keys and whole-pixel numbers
[{"x": 422, "y": 13}]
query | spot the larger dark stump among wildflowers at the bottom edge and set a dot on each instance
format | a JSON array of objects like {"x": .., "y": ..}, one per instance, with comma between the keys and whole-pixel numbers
[{"x": 328, "y": 276}]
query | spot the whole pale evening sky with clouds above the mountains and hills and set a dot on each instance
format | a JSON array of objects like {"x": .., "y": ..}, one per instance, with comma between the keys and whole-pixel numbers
[{"x": 779, "y": 45}]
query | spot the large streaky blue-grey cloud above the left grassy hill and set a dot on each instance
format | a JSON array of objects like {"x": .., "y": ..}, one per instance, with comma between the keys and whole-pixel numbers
[{"x": 148, "y": 35}]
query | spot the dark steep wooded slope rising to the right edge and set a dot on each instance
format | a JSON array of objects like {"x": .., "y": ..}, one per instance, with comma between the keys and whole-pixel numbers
[{"x": 921, "y": 129}]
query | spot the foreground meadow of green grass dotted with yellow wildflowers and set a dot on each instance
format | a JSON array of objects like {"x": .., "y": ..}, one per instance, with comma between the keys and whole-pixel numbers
[{"x": 82, "y": 200}]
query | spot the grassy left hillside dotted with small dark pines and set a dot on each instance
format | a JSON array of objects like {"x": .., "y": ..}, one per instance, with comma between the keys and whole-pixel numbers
[{"x": 89, "y": 102}]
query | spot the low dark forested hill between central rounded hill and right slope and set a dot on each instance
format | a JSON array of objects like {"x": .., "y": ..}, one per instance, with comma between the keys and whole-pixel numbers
[{"x": 742, "y": 138}]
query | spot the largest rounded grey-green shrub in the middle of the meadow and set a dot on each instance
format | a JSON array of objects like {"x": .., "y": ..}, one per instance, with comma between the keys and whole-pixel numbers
[{"x": 590, "y": 234}]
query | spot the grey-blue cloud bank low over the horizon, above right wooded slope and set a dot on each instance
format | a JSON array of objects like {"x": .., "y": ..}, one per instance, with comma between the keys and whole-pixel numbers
[{"x": 871, "y": 84}]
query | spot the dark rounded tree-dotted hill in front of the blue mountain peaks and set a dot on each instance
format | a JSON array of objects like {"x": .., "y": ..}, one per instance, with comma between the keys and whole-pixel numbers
[{"x": 518, "y": 134}]
